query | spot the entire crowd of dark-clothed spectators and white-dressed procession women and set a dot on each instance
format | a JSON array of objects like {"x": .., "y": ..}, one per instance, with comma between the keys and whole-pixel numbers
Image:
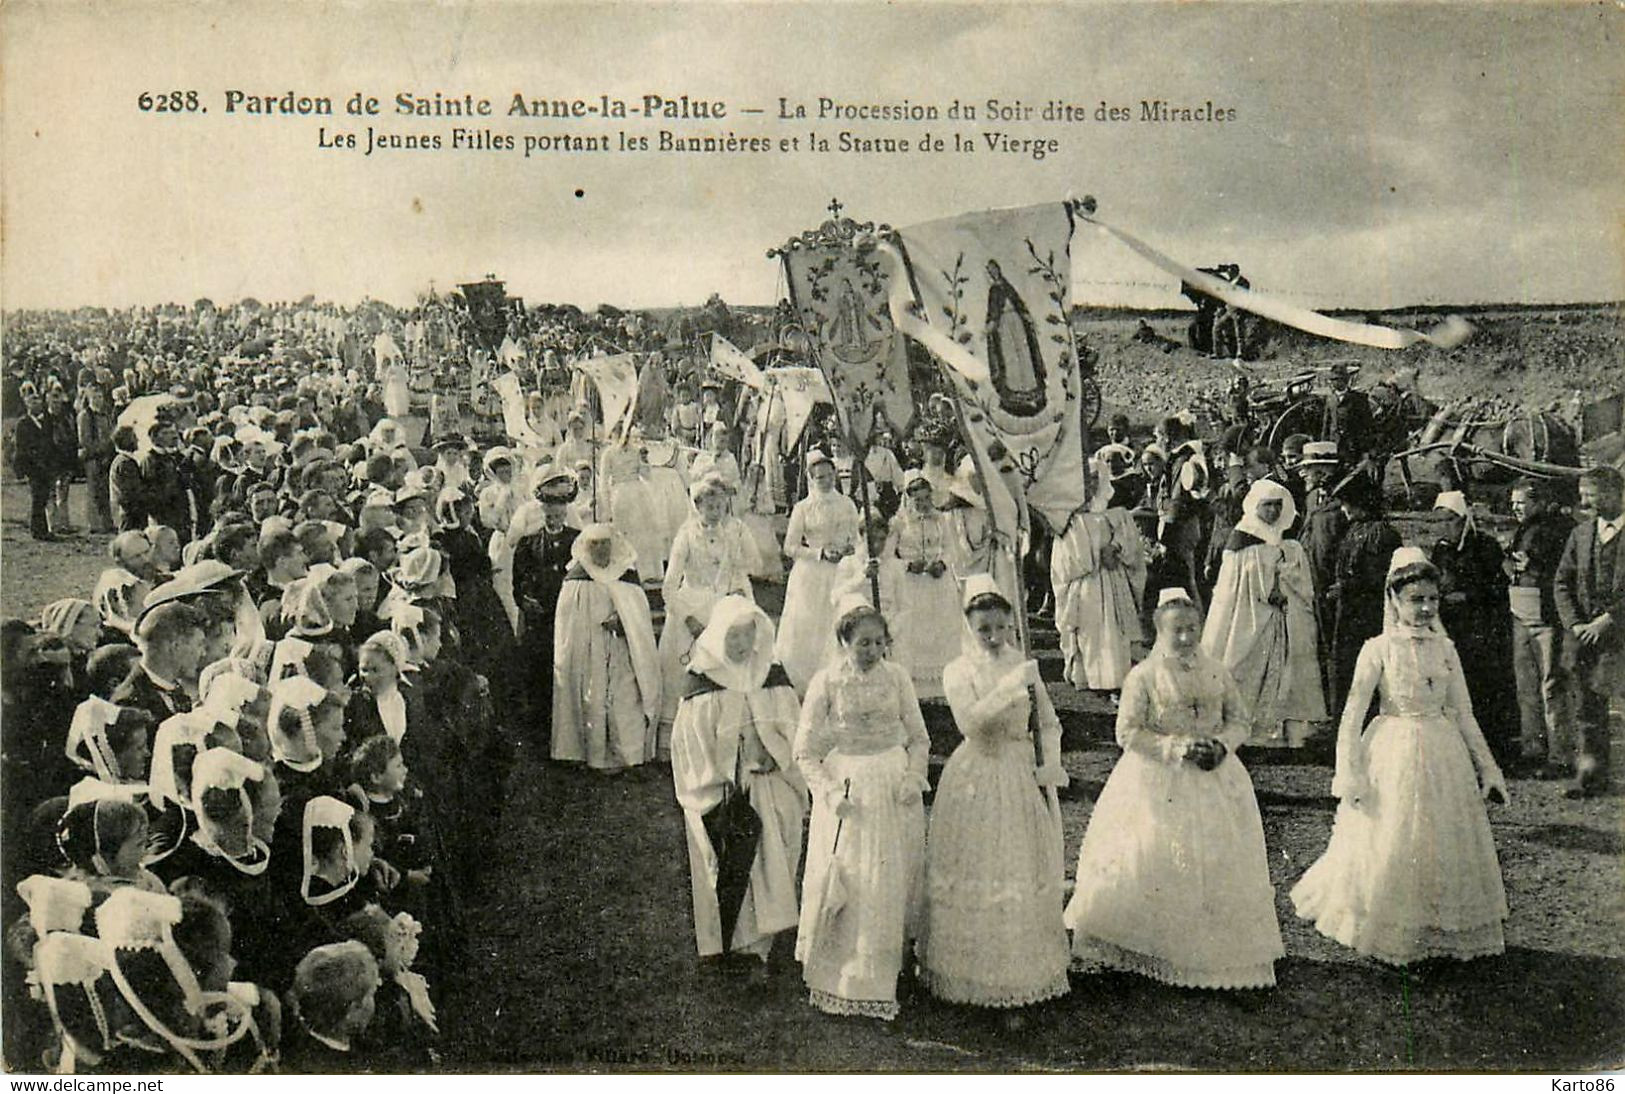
[{"x": 251, "y": 776}]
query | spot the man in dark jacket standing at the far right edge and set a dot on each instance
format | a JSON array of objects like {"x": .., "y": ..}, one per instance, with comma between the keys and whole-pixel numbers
[{"x": 1590, "y": 593}]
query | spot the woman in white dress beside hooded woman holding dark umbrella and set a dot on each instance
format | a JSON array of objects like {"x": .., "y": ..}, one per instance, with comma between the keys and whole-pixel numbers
[{"x": 864, "y": 752}]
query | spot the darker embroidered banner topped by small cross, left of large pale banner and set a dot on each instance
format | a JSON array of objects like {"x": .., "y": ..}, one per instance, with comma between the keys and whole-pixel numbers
[{"x": 839, "y": 292}]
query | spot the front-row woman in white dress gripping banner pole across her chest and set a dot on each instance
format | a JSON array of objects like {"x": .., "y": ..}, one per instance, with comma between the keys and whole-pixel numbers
[{"x": 994, "y": 932}]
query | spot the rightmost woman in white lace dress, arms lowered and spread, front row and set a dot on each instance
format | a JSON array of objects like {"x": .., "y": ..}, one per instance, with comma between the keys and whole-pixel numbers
[{"x": 1411, "y": 869}]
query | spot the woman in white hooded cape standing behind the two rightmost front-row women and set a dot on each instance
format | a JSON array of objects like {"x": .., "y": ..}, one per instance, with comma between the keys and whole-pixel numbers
[{"x": 1263, "y": 625}]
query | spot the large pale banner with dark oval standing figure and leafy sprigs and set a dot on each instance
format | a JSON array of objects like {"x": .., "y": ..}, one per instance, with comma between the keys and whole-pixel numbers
[{"x": 989, "y": 295}]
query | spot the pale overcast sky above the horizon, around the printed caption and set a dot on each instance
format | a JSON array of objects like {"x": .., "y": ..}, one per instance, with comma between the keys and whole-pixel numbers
[{"x": 1382, "y": 155}]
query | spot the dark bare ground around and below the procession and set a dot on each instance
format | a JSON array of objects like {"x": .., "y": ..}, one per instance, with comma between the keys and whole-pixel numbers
[{"x": 583, "y": 957}]
